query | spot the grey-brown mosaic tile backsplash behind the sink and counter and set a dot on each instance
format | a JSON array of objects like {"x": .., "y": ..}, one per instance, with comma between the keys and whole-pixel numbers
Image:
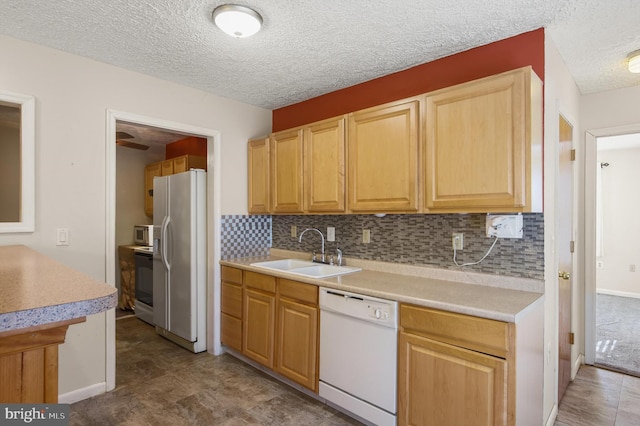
[{"x": 420, "y": 239}]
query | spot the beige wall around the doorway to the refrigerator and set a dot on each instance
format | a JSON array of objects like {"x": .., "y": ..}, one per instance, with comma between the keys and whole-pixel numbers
[{"x": 72, "y": 96}]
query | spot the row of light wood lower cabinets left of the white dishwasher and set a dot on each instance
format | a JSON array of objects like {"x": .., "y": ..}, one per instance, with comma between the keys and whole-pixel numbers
[{"x": 273, "y": 322}]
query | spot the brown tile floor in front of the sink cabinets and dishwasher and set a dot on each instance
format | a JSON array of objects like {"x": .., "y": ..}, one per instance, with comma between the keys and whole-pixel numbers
[{"x": 159, "y": 383}]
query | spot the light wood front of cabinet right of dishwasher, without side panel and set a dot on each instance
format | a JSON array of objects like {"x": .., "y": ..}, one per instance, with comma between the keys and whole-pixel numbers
[{"x": 452, "y": 368}]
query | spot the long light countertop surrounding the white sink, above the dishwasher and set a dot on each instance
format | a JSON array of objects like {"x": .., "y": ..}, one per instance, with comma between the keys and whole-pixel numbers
[{"x": 482, "y": 295}]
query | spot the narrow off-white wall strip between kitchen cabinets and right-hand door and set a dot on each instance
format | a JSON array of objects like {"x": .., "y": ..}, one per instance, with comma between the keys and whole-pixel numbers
[{"x": 561, "y": 97}]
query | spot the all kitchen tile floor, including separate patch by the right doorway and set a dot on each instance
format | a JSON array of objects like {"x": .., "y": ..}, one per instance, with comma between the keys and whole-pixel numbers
[{"x": 159, "y": 383}]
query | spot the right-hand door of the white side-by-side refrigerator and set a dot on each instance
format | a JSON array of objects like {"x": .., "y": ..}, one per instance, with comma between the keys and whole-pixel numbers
[{"x": 181, "y": 243}]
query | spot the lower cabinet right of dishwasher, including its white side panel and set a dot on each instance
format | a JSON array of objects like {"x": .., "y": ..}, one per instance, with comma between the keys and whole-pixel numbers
[{"x": 456, "y": 369}]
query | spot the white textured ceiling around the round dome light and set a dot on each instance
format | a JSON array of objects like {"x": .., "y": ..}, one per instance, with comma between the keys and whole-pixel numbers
[{"x": 308, "y": 47}]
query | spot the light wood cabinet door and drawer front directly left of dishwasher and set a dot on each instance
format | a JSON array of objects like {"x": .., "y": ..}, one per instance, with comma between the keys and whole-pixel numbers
[{"x": 297, "y": 332}]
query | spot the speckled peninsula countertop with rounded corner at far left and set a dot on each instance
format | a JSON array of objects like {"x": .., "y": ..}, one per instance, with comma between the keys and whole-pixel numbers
[{"x": 36, "y": 290}]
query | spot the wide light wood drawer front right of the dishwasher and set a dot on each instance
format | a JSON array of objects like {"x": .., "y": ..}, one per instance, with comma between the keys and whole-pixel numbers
[{"x": 479, "y": 334}]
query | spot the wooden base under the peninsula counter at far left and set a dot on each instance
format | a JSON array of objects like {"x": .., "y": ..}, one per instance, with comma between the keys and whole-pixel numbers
[{"x": 29, "y": 363}]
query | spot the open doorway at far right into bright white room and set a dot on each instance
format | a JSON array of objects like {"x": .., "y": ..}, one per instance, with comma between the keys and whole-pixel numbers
[{"x": 617, "y": 254}]
